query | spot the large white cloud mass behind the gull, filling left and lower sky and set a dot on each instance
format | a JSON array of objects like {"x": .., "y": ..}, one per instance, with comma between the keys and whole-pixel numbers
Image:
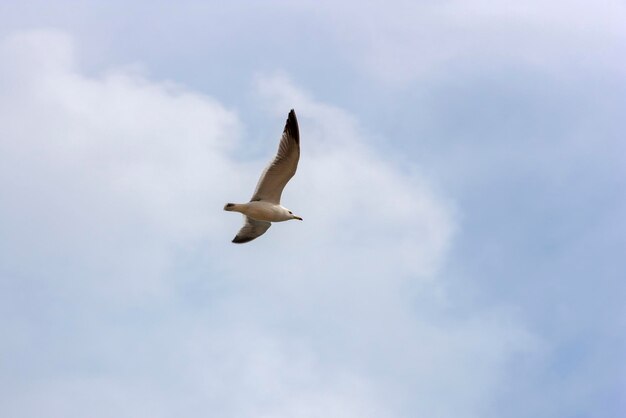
[{"x": 112, "y": 189}]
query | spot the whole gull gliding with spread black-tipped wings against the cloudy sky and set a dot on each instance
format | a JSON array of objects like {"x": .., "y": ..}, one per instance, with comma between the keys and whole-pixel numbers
[{"x": 264, "y": 207}]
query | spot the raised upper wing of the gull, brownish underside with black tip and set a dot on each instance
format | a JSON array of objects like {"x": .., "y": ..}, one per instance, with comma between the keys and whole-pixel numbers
[{"x": 283, "y": 167}]
